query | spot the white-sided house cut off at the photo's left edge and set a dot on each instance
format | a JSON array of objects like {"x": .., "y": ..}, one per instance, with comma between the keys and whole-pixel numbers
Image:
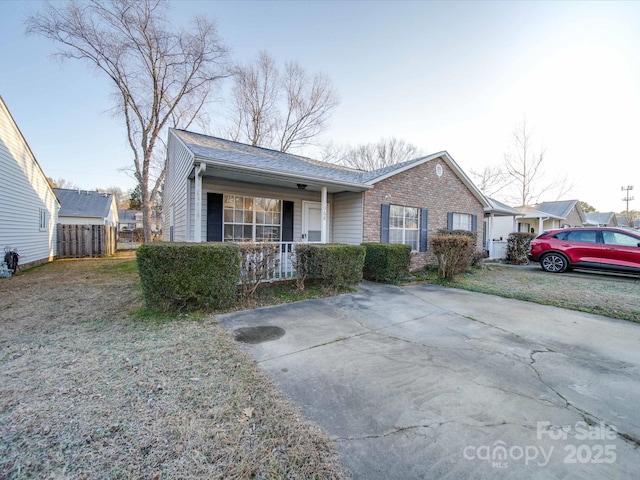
[{"x": 28, "y": 205}]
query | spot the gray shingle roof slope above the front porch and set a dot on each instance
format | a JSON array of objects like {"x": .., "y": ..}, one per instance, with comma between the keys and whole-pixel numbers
[{"x": 241, "y": 155}]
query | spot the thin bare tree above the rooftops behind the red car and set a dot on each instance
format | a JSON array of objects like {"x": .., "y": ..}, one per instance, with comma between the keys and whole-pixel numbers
[{"x": 524, "y": 167}]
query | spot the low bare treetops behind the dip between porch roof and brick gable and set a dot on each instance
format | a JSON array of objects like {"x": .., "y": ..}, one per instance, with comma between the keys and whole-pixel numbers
[{"x": 371, "y": 156}]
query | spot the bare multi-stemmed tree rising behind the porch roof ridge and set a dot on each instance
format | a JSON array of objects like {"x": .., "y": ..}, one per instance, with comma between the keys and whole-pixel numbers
[{"x": 281, "y": 110}]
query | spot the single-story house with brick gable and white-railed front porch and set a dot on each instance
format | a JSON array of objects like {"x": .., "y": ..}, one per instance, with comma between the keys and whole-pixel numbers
[{"x": 219, "y": 190}]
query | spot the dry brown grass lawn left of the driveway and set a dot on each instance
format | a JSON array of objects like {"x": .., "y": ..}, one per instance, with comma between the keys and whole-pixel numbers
[{"x": 93, "y": 387}]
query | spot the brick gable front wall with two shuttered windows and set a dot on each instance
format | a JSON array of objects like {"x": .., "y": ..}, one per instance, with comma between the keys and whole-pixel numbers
[{"x": 421, "y": 187}]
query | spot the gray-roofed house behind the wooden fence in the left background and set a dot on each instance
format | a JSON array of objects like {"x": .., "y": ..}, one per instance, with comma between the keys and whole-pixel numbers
[{"x": 86, "y": 207}]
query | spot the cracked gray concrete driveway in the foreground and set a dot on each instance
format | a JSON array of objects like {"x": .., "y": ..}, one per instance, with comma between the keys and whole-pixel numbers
[{"x": 428, "y": 382}]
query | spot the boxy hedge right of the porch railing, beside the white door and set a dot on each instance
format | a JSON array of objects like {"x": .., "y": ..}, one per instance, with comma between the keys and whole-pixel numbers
[{"x": 337, "y": 265}]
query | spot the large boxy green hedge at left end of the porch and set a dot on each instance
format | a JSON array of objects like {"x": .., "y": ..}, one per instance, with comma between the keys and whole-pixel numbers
[{"x": 178, "y": 277}]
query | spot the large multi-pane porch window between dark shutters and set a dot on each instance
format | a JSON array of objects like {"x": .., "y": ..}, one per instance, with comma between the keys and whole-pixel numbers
[{"x": 252, "y": 219}]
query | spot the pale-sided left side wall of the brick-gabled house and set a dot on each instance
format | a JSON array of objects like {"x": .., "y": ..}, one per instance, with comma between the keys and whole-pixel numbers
[{"x": 176, "y": 188}]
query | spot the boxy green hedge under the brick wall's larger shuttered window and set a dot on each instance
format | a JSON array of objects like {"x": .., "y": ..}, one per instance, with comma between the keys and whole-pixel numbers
[{"x": 386, "y": 262}]
